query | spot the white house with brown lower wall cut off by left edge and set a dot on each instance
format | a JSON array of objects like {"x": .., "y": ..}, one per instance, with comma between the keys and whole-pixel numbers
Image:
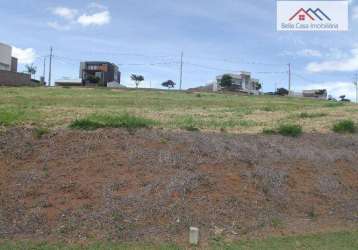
[{"x": 8, "y": 69}]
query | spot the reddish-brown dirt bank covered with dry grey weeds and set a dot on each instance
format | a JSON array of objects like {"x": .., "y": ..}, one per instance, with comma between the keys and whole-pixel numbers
[{"x": 151, "y": 185}]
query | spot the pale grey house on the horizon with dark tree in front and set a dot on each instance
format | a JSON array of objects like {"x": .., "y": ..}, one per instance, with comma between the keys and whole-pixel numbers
[{"x": 241, "y": 82}]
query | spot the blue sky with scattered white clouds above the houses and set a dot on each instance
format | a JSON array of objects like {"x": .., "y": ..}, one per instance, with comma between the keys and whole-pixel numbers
[{"x": 147, "y": 37}]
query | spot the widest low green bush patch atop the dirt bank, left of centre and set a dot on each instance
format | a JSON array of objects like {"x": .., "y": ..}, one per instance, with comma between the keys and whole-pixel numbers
[{"x": 106, "y": 121}]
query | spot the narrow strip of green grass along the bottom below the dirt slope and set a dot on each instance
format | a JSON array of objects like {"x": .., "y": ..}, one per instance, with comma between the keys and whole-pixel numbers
[{"x": 328, "y": 241}]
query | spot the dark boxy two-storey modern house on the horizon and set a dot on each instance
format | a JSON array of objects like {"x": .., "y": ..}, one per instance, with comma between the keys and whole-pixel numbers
[{"x": 99, "y": 73}]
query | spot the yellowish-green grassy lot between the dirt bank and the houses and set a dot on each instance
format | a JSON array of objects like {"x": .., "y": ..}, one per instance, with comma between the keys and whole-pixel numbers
[{"x": 58, "y": 107}]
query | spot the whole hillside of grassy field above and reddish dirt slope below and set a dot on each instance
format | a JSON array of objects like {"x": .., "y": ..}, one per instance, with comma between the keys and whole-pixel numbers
[{"x": 145, "y": 178}]
